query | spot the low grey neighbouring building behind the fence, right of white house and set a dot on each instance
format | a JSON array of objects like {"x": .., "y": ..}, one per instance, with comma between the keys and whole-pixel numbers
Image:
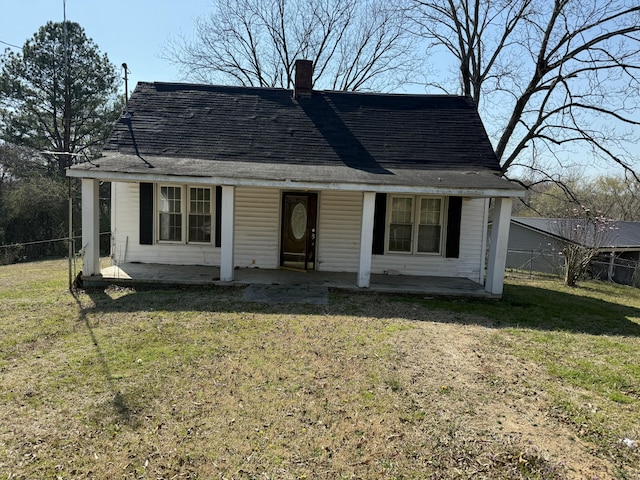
[{"x": 537, "y": 243}]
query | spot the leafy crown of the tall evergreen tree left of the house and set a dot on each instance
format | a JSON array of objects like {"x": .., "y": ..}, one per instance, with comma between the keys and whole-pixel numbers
[{"x": 59, "y": 93}]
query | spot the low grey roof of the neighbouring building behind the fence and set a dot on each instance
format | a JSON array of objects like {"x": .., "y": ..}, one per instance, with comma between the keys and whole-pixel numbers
[{"x": 618, "y": 234}]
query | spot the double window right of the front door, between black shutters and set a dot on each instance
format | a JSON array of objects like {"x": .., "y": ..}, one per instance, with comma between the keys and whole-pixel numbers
[{"x": 415, "y": 224}]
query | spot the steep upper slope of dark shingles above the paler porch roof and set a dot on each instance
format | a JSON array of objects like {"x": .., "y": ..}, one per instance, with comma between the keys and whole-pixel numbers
[{"x": 370, "y": 132}]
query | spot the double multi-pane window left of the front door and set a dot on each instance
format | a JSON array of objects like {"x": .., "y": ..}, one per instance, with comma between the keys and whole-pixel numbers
[{"x": 178, "y": 214}]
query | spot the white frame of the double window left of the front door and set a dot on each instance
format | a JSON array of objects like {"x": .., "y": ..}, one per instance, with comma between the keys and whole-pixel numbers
[{"x": 185, "y": 198}]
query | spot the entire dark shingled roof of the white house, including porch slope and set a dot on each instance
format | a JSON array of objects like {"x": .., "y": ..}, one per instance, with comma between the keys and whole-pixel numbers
[{"x": 206, "y": 130}]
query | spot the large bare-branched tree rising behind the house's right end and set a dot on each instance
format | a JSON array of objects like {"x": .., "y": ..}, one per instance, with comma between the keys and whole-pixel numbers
[{"x": 550, "y": 75}]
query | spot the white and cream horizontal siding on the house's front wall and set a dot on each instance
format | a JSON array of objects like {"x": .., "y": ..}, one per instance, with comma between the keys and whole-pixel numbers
[{"x": 257, "y": 236}]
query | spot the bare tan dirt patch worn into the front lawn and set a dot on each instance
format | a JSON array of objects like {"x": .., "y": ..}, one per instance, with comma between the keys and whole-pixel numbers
[{"x": 450, "y": 370}]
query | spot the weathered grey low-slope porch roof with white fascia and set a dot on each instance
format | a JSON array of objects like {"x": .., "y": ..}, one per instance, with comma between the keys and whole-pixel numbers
[{"x": 129, "y": 168}]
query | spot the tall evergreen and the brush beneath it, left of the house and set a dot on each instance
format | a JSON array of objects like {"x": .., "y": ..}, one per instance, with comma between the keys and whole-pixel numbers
[{"x": 59, "y": 93}]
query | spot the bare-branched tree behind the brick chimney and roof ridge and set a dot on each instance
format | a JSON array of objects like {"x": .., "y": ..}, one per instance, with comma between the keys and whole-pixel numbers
[{"x": 354, "y": 44}]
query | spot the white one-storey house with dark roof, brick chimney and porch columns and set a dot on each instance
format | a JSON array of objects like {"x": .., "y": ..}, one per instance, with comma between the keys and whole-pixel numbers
[{"x": 240, "y": 177}]
